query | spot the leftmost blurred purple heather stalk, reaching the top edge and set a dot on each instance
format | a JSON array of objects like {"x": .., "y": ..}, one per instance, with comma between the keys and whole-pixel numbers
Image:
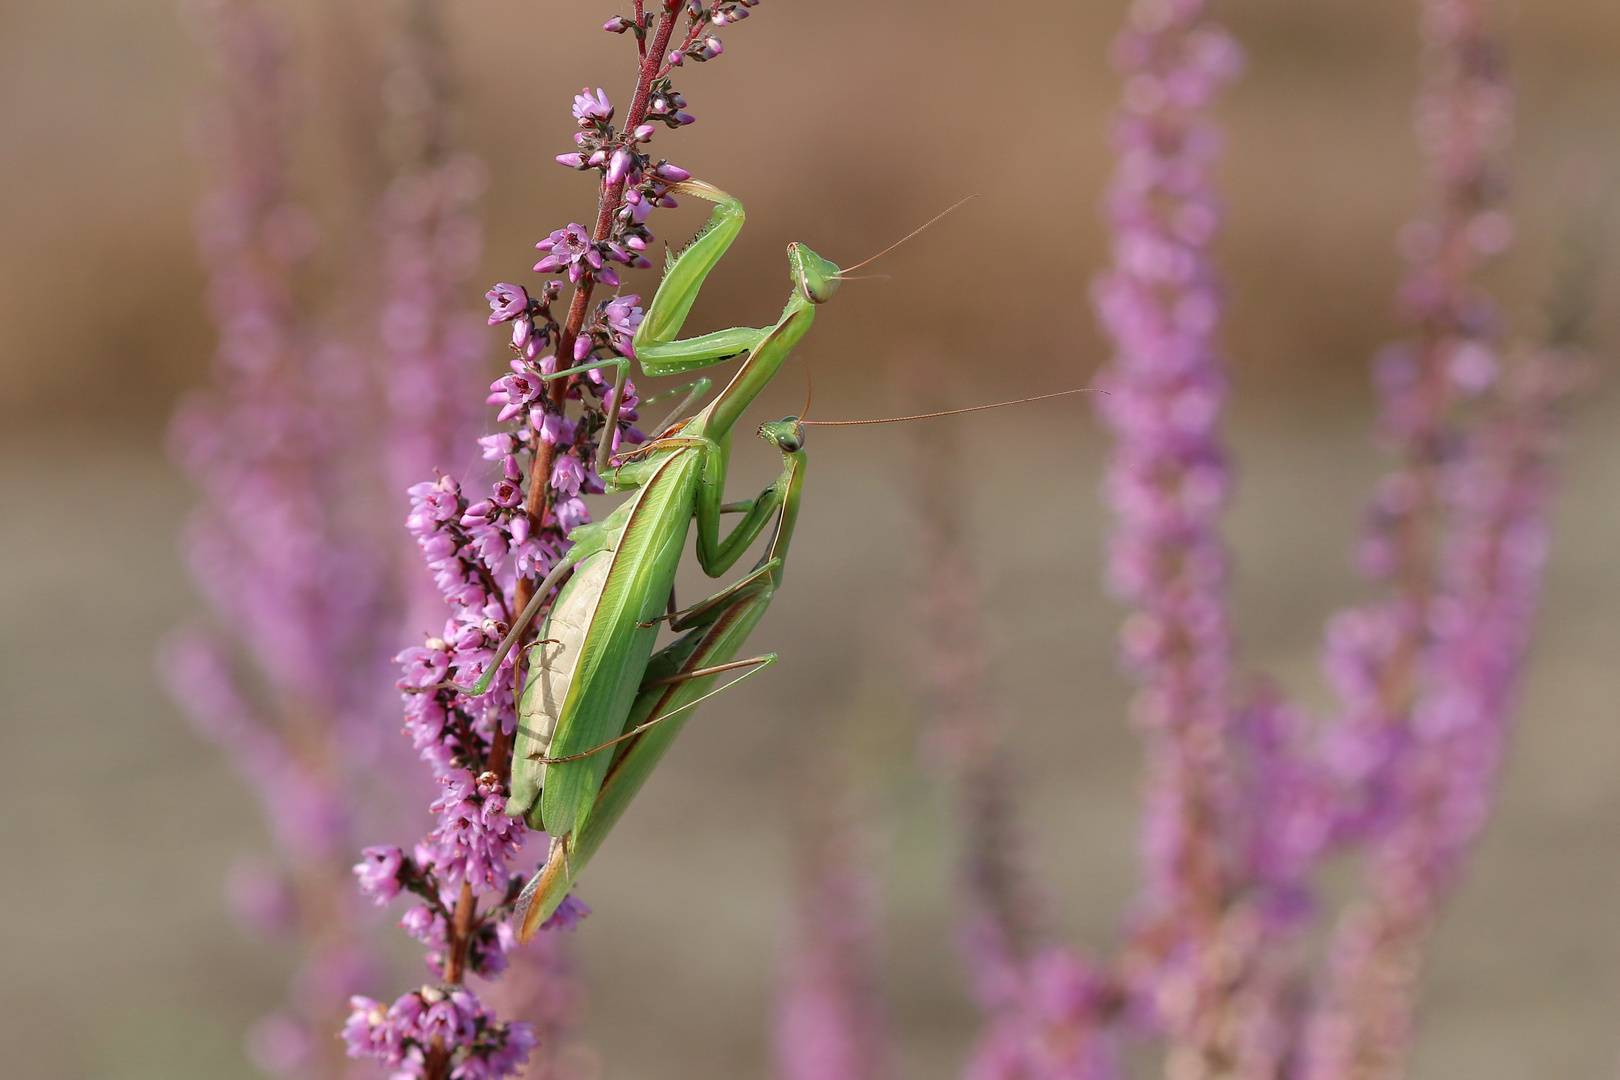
[{"x": 281, "y": 546}]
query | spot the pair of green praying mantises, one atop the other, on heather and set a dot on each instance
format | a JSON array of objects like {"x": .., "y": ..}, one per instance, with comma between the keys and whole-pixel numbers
[{"x": 600, "y": 708}]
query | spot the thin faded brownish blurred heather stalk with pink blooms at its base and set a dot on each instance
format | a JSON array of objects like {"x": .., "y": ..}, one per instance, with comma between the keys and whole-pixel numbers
[{"x": 1047, "y": 1013}]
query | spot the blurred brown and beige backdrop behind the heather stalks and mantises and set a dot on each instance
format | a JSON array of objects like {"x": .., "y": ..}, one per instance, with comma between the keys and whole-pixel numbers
[{"x": 842, "y": 124}]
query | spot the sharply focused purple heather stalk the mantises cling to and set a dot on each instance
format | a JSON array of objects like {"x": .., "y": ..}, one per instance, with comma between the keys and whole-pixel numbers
[{"x": 487, "y": 555}]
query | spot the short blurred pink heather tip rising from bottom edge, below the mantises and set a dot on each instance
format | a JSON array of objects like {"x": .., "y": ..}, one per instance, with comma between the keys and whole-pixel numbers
[{"x": 829, "y": 1013}]
